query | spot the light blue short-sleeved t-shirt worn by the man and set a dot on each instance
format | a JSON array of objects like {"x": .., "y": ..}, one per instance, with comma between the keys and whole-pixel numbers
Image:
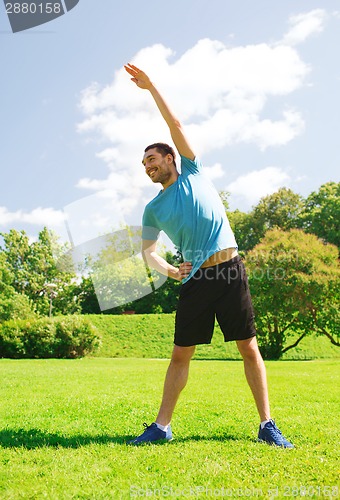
[{"x": 192, "y": 214}]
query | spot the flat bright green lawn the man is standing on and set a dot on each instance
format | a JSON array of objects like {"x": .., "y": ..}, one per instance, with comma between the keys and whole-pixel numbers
[{"x": 64, "y": 425}]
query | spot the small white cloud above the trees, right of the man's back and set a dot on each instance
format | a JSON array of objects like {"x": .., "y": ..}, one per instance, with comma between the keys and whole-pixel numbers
[{"x": 248, "y": 189}]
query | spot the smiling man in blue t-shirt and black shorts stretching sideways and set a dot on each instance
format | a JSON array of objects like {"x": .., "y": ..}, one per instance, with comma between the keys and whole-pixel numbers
[{"x": 214, "y": 282}]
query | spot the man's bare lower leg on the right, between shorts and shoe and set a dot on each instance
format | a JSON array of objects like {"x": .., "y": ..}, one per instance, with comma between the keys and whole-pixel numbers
[{"x": 255, "y": 372}]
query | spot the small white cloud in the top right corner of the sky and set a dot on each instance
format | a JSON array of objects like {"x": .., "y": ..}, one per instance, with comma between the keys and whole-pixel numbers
[{"x": 302, "y": 26}]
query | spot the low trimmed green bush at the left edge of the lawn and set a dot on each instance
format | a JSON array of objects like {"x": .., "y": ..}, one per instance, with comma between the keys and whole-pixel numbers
[{"x": 63, "y": 337}]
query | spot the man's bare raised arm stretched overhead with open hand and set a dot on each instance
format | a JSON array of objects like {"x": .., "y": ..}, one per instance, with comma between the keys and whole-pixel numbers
[{"x": 176, "y": 130}]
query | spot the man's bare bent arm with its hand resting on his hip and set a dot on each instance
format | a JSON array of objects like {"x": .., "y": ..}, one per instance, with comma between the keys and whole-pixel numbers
[{"x": 155, "y": 261}]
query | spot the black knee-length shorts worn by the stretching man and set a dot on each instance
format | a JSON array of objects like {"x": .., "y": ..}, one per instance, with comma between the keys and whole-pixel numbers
[{"x": 220, "y": 291}]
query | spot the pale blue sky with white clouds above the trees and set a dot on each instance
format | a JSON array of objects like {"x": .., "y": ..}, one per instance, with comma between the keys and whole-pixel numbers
[{"x": 257, "y": 85}]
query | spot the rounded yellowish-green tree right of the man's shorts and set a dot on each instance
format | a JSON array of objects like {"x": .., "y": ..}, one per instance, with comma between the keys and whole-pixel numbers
[{"x": 294, "y": 280}]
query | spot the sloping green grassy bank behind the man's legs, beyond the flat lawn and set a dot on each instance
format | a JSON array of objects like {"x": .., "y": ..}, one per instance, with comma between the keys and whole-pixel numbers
[{"x": 151, "y": 336}]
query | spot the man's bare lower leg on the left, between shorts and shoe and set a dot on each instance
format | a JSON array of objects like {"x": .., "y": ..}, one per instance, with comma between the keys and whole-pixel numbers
[{"x": 175, "y": 381}]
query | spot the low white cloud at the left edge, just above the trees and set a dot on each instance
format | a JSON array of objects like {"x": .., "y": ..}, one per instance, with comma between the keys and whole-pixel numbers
[{"x": 38, "y": 216}]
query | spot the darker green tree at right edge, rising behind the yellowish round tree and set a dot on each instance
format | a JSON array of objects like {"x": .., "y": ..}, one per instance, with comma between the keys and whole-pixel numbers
[{"x": 321, "y": 215}]
